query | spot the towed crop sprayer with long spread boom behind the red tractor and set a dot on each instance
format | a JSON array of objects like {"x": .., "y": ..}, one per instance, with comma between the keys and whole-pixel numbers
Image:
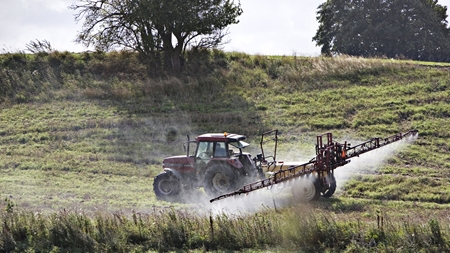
[{"x": 318, "y": 173}]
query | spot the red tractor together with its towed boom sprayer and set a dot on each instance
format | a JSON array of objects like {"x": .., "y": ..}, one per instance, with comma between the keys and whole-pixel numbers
[{"x": 219, "y": 165}]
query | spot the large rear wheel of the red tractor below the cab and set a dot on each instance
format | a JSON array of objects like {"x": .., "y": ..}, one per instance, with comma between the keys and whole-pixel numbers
[{"x": 219, "y": 180}]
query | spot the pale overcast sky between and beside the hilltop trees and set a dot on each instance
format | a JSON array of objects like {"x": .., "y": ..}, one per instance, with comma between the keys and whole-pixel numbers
[{"x": 283, "y": 27}]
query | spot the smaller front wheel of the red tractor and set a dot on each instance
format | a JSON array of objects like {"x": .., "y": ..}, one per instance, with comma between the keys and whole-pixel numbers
[{"x": 166, "y": 186}]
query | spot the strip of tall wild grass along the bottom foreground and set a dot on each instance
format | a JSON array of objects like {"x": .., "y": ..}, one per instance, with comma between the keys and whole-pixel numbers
[{"x": 302, "y": 229}]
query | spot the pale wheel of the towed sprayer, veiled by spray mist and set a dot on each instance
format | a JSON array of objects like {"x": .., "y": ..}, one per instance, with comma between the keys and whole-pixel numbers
[{"x": 306, "y": 189}]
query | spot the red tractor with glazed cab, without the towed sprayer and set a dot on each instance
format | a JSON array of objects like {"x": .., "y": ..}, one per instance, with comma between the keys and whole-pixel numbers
[{"x": 218, "y": 165}]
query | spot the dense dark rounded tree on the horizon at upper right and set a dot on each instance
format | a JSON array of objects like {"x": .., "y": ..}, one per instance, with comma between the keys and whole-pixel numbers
[{"x": 414, "y": 29}]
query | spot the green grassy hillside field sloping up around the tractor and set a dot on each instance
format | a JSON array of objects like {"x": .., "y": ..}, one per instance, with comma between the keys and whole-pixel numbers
[{"x": 87, "y": 133}]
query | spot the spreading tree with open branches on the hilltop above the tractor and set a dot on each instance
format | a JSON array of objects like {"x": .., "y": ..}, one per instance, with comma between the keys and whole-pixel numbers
[{"x": 154, "y": 26}]
